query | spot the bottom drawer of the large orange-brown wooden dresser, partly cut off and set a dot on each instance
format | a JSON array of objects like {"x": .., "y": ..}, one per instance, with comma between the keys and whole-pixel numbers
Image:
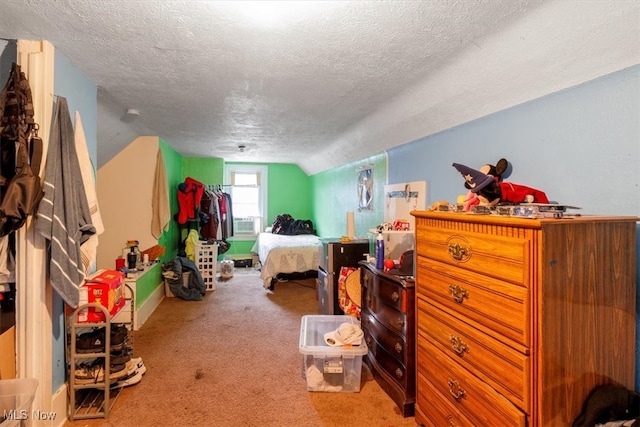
[{"x": 438, "y": 411}]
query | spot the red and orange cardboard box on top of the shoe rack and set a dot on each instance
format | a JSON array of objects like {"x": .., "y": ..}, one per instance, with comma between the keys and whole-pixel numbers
[{"x": 105, "y": 287}]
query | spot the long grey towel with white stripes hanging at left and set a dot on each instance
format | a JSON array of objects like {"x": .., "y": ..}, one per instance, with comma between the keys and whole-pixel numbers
[{"x": 63, "y": 215}]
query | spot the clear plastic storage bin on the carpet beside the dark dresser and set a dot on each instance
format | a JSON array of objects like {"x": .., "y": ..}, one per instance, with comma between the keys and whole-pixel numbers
[{"x": 327, "y": 368}]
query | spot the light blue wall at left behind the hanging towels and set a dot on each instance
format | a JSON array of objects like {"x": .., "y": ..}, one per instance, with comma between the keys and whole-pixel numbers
[{"x": 82, "y": 95}]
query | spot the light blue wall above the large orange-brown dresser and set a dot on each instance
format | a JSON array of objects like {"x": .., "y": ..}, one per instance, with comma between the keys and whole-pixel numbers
[{"x": 580, "y": 145}]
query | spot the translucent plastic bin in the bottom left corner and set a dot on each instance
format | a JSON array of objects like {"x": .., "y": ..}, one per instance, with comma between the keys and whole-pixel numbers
[{"x": 16, "y": 397}]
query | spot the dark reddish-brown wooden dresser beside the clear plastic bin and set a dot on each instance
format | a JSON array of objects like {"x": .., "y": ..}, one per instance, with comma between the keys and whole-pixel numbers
[{"x": 388, "y": 322}]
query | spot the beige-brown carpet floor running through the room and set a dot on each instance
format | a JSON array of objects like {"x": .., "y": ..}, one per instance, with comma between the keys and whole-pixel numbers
[{"x": 233, "y": 360}]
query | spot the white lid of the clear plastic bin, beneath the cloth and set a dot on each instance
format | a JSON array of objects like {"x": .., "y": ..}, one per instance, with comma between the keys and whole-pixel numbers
[{"x": 312, "y": 330}]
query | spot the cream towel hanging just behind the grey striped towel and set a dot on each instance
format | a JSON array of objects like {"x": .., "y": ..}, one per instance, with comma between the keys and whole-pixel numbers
[{"x": 89, "y": 248}]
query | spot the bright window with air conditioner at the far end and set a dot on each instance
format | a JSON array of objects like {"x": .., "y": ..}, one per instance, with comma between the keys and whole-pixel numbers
[{"x": 248, "y": 184}]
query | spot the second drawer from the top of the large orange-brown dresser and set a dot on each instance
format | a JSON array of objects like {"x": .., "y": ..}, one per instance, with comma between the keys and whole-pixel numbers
[{"x": 502, "y": 308}]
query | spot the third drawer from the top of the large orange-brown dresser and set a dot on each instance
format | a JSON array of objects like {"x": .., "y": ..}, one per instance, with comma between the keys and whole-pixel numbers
[{"x": 494, "y": 362}]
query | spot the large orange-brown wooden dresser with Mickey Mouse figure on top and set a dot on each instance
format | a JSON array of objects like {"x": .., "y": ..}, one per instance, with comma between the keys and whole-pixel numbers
[{"x": 519, "y": 319}]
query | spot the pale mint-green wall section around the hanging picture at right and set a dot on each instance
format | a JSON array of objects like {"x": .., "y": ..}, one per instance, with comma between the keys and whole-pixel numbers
[{"x": 335, "y": 193}]
